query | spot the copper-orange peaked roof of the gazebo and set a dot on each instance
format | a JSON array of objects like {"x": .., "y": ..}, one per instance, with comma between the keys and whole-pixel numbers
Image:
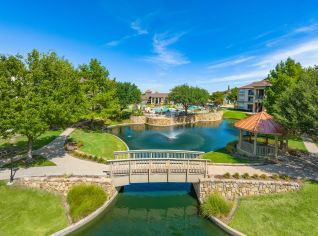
[{"x": 261, "y": 122}]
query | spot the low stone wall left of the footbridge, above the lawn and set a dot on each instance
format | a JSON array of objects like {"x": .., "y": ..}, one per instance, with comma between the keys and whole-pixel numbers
[{"x": 62, "y": 184}]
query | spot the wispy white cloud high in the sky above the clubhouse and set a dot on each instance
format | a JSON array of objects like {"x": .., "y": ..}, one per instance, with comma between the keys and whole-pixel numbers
[{"x": 166, "y": 57}]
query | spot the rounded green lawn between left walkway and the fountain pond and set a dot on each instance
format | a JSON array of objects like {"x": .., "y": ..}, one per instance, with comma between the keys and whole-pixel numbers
[{"x": 97, "y": 143}]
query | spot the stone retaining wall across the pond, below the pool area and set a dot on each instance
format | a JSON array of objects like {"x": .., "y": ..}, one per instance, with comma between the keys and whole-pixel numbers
[{"x": 190, "y": 119}]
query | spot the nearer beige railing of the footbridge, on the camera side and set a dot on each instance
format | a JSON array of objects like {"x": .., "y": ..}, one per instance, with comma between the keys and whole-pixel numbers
[{"x": 158, "y": 166}]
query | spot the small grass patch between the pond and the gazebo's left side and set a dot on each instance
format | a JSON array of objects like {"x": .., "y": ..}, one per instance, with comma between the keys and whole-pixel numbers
[{"x": 221, "y": 156}]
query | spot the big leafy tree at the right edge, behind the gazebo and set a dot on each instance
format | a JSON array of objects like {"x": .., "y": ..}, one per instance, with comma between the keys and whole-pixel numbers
[{"x": 297, "y": 108}]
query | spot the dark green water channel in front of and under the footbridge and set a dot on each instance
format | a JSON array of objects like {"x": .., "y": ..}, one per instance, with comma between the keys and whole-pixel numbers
[{"x": 152, "y": 209}]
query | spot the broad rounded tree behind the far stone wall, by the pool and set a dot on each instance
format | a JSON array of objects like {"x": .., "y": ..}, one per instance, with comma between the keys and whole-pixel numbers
[{"x": 187, "y": 96}]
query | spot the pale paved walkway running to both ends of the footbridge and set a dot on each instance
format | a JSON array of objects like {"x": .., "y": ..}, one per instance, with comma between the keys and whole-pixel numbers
[{"x": 302, "y": 167}]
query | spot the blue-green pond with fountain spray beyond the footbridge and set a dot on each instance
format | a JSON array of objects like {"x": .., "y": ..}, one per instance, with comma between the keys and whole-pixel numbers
[{"x": 196, "y": 137}]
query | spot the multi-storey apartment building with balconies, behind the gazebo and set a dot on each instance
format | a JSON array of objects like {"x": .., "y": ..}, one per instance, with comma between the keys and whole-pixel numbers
[{"x": 251, "y": 96}]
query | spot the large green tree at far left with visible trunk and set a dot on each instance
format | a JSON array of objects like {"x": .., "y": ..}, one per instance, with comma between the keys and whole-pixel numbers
[{"x": 44, "y": 90}]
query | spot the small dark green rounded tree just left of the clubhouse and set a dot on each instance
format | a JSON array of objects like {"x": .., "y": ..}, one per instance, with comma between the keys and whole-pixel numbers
[{"x": 127, "y": 93}]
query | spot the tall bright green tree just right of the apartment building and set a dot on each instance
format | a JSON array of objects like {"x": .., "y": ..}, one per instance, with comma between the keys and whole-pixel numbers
[{"x": 285, "y": 75}]
